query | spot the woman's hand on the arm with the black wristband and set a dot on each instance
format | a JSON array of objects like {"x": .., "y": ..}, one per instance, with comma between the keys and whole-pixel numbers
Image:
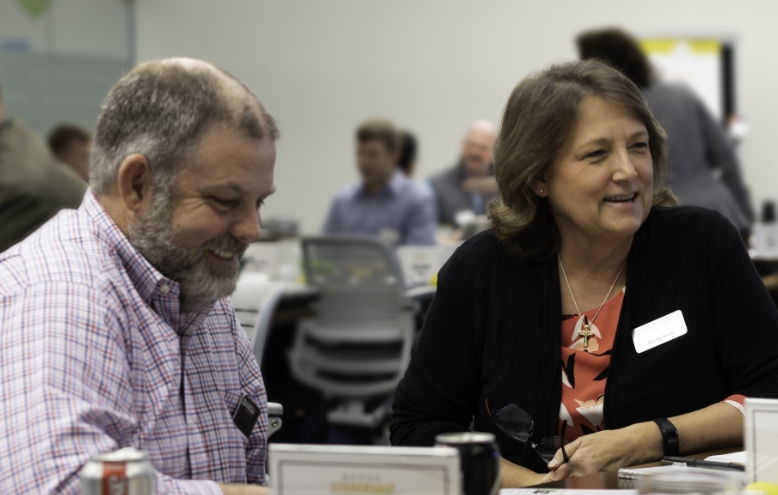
[{"x": 609, "y": 450}]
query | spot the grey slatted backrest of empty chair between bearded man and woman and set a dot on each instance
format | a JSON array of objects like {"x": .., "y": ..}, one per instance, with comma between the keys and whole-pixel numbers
[{"x": 359, "y": 343}]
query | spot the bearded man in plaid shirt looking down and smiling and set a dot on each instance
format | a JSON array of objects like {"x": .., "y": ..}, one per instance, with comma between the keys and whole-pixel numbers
[{"x": 115, "y": 326}]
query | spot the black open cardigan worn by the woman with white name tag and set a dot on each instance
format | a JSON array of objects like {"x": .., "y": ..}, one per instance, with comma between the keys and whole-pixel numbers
[{"x": 498, "y": 318}]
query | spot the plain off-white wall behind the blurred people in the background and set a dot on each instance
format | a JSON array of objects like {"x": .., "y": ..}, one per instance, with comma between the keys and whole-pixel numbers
[{"x": 433, "y": 66}]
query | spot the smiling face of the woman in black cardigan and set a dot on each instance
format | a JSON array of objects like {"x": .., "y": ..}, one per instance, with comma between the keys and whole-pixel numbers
[{"x": 600, "y": 185}]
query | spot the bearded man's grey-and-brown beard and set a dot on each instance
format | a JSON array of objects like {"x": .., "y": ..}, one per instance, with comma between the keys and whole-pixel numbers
[{"x": 201, "y": 283}]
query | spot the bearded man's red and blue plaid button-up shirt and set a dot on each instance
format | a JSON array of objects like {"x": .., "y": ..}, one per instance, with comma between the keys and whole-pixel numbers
[{"x": 95, "y": 356}]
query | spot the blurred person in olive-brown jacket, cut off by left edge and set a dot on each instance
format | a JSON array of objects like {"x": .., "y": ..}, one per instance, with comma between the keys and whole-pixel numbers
[{"x": 33, "y": 186}]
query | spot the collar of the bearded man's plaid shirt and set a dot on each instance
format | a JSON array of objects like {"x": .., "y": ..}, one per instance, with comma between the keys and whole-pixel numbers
[{"x": 146, "y": 279}]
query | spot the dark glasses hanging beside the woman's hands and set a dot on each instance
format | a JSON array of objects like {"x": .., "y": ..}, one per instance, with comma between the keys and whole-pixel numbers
[{"x": 519, "y": 425}]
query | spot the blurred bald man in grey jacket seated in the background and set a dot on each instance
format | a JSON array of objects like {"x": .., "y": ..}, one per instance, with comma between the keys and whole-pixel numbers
[{"x": 469, "y": 185}]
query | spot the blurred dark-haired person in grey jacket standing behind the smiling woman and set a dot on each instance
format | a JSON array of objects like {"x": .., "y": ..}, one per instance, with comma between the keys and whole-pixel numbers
[{"x": 699, "y": 149}]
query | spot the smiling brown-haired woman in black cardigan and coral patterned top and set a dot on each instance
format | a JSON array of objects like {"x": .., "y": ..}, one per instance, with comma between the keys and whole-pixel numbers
[{"x": 596, "y": 326}]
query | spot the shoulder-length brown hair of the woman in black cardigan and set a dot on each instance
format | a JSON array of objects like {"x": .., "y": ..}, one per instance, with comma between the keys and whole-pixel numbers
[{"x": 538, "y": 119}]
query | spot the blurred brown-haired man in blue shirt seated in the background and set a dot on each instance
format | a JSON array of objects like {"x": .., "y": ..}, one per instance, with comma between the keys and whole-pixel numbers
[{"x": 385, "y": 203}]
